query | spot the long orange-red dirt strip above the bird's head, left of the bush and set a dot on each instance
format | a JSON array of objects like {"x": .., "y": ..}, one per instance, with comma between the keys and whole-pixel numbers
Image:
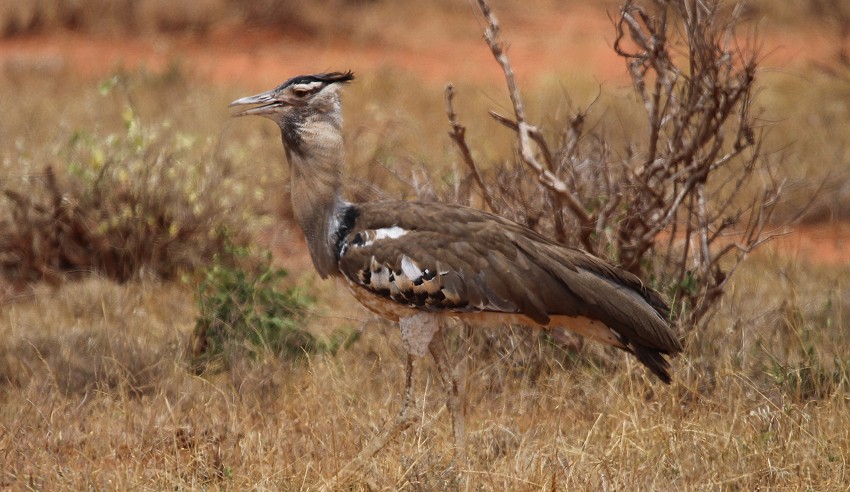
[{"x": 263, "y": 57}]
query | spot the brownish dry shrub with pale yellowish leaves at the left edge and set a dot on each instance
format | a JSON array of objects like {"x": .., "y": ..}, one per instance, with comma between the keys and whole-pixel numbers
[{"x": 119, "y": 205}]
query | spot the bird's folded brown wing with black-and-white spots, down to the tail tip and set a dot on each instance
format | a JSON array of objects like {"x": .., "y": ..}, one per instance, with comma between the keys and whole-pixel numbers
[{"x": 441, "y": 257}]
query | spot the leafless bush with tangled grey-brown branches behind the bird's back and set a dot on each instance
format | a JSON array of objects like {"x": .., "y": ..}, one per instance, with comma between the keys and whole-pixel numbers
[{"x": 670, "y": 206}]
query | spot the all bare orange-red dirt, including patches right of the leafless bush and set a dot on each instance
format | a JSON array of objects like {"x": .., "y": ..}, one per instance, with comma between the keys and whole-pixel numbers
[{"x": 578, "y": 39}]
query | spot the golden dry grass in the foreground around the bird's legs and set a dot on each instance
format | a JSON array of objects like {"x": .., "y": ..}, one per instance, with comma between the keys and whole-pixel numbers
[{"x": 100, "y": 397}]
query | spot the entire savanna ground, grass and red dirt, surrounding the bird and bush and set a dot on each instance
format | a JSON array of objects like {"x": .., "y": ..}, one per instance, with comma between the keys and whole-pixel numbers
[{"x": 98, "y": 385}]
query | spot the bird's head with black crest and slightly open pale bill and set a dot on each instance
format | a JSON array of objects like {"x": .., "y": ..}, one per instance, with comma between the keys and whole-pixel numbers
[{"x": 304, "y": 94}]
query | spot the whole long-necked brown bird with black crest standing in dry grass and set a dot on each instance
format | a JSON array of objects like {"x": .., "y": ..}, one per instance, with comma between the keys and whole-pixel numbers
[{"x": 419, "y": 263}]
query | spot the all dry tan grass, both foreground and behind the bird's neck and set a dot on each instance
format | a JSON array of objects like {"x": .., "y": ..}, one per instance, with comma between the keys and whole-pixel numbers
[{"x": 96, "y": 390}]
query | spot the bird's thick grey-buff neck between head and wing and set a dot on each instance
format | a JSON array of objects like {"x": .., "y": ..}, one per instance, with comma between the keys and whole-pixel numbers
[{"x": 314, "y": 149}]
